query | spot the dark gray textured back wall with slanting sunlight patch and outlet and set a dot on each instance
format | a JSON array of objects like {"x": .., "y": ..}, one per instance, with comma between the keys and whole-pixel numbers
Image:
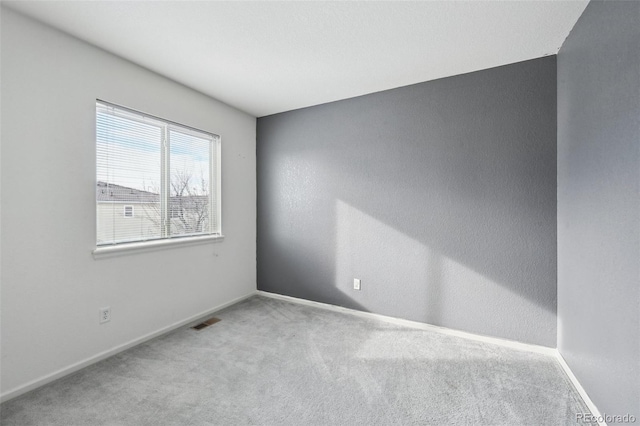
[{"x": 440, "y": 196}]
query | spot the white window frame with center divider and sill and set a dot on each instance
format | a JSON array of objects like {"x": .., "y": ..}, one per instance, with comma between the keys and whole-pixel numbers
[{"x": 166, "y": 240}]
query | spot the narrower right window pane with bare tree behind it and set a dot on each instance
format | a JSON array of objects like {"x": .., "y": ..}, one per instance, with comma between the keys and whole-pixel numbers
[{"x": 190, "y": 184}]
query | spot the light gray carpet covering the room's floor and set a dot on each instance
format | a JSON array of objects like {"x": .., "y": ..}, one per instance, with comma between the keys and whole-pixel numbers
[{"x": 270, "y": 362}]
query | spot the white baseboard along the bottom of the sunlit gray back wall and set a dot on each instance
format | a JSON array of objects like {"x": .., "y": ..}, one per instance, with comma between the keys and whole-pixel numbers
[{"x": 423, "y": 326}]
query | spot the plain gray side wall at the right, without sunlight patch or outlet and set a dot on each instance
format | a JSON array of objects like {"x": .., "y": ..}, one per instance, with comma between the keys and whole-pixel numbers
[{"x": 598, "y": 204}]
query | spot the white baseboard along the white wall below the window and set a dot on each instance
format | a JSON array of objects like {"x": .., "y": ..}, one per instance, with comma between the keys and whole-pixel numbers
[{"x": 10, "y": 394}]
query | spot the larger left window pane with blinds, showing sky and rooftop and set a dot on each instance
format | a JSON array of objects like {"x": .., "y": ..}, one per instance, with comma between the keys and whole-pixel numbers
[{"x": 128, "y": 173}]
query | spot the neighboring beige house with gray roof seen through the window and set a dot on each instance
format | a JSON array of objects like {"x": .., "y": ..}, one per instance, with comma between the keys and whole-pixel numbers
[{"x": 129, "y": 214}]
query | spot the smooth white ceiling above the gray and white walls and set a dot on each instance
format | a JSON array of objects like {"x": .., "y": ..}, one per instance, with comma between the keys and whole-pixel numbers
[{"x": 269, "y": 57}]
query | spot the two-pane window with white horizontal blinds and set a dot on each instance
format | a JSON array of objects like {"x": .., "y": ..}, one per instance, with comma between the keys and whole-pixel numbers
[{"x": 167, "y": 173}]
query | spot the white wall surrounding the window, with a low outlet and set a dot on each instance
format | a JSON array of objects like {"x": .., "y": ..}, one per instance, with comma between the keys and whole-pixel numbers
[{"x": 51, "y": 285}]
